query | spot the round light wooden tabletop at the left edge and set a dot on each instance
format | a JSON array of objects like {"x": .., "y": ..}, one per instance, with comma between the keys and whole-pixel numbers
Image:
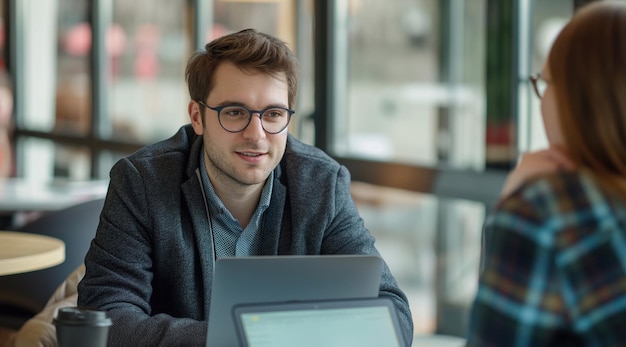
[{"x": 23, "y": 252}]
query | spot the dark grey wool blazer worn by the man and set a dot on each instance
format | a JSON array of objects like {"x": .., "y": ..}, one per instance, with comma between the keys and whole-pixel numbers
[{"x": 151, "y": 262}]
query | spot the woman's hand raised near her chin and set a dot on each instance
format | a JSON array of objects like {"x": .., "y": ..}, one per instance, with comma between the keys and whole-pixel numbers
[{"x": 535, "y": 163}]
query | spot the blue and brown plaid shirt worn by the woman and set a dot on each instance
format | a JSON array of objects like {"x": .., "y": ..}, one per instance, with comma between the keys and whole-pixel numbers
[{"x": 555, "y": 267}]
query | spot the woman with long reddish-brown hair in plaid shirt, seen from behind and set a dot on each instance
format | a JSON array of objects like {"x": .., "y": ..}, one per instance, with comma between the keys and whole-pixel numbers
[{"x": 555, "y": 245}]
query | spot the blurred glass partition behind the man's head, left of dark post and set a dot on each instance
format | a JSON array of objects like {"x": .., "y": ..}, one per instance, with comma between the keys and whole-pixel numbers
[{"x": 109, "y": 75}]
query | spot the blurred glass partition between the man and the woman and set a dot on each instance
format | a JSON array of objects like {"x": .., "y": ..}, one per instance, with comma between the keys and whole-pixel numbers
[{"x": 438, "y": 87}]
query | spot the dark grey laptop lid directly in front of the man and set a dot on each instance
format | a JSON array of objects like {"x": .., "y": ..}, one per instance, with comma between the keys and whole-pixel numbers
[{"x": 262, "y": 279}]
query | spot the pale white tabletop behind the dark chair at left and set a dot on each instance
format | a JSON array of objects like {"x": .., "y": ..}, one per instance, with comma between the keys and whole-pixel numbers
[{"x": 22, "y": 194}]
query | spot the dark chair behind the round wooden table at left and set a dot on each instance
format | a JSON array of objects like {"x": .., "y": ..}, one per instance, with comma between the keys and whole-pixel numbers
[{"x": 24, "y": 295}]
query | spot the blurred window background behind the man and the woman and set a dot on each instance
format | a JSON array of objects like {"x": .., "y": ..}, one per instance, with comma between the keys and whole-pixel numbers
[{"x": 427, "y": 102}]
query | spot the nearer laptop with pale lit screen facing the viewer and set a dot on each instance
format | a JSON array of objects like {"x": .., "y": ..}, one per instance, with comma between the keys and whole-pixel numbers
[{"x": 340, "y": 323}]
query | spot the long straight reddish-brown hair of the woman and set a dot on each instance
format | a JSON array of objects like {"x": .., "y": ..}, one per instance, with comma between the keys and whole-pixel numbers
[{"x": 588, "y": 70}]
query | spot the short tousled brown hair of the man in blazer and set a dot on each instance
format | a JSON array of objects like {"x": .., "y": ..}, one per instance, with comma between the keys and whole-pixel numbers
[{"x": 248, "y": 50}]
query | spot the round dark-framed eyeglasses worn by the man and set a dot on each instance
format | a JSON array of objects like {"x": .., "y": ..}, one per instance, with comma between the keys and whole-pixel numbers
[{"x": 235, "y": 118}]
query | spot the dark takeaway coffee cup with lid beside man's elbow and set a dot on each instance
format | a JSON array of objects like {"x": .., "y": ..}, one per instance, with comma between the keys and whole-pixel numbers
[{"x": 77, "y": 326}]
